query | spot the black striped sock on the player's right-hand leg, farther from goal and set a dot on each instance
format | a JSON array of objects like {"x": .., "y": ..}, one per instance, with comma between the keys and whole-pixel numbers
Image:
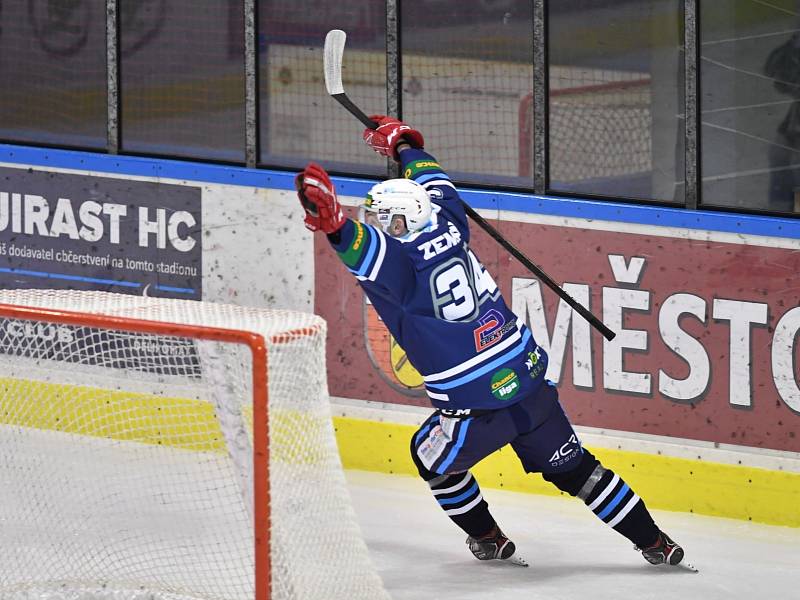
[{"x": 615, "y": 503}]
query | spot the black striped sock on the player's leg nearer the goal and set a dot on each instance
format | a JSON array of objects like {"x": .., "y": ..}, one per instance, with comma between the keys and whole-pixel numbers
[{"x": 461, "y": 499}]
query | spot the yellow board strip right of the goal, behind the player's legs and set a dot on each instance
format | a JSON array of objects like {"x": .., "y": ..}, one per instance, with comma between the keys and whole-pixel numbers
[{"x": 665, "y": 482}]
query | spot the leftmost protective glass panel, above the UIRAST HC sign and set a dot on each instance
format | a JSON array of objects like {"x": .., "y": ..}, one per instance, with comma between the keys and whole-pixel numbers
[{"x": 53, "y": 73}]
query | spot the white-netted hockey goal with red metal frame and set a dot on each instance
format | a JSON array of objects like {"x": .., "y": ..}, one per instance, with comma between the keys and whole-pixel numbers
[{"x": 164, "y": 449}]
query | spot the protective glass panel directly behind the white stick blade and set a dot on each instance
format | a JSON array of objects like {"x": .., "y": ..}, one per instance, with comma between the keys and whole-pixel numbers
[{"x": 299, "y": 121}]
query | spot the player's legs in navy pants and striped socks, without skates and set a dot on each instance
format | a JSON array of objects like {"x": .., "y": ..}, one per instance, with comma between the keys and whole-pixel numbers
[{"x": 445, "y": 448}]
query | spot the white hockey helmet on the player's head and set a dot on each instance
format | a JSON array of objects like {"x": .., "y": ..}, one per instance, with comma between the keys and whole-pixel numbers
[{"x": 399, "y": 197}]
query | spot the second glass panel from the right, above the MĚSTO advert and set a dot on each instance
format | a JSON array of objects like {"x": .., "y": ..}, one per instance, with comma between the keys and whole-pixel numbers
[{"x": 616, "y": 88}]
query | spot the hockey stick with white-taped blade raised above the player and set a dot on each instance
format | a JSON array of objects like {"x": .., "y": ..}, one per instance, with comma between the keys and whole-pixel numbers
[{"x": 333, "y": 53}]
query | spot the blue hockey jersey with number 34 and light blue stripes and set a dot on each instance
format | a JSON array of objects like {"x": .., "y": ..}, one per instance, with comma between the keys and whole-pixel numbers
[{"x": 440, "y": 303}]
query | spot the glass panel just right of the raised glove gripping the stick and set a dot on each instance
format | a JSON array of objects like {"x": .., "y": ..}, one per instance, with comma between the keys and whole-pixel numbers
[{"x": 467, "y": 86}]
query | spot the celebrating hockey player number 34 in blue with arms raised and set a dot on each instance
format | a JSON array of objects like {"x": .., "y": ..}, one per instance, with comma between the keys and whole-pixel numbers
[{"x": 483, "y": 371}]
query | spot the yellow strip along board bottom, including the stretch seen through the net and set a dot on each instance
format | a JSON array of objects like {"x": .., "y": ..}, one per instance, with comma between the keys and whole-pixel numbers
[{"x": 188, "y": 424}]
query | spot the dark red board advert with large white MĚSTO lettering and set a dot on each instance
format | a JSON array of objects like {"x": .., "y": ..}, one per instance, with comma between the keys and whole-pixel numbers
[{"x": 706, "y": 323}]
